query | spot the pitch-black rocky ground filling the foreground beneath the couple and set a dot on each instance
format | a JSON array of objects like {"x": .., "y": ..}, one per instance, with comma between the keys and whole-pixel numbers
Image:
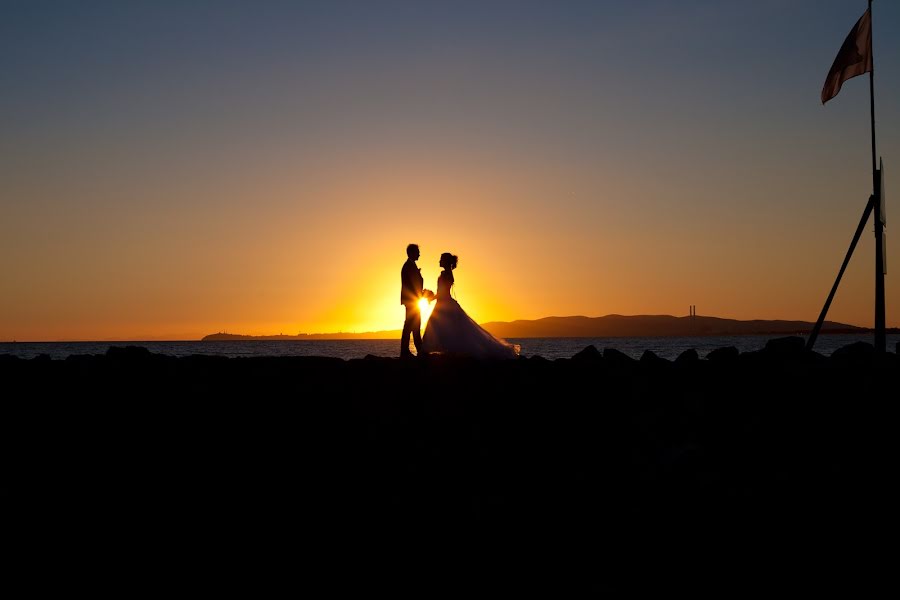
[{"x": 770, "y": 471}]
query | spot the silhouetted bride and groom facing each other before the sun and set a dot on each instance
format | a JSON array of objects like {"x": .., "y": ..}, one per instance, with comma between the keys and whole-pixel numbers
[{"x": 449, "y": 329}]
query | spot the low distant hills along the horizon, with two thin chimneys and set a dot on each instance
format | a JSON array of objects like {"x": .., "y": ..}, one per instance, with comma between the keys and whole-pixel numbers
[{"x": 608, "y": 326}]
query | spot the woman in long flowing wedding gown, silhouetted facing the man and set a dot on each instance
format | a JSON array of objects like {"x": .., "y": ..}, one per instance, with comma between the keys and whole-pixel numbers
[{"x": 451, "y": 331}]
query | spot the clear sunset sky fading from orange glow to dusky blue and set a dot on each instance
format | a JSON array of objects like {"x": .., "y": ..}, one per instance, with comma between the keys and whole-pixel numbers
[{"x": 173, "y": 169}]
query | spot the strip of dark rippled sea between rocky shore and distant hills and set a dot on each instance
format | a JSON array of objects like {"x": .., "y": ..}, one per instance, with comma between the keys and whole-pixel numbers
[{"x": 549, "y": 348}]
